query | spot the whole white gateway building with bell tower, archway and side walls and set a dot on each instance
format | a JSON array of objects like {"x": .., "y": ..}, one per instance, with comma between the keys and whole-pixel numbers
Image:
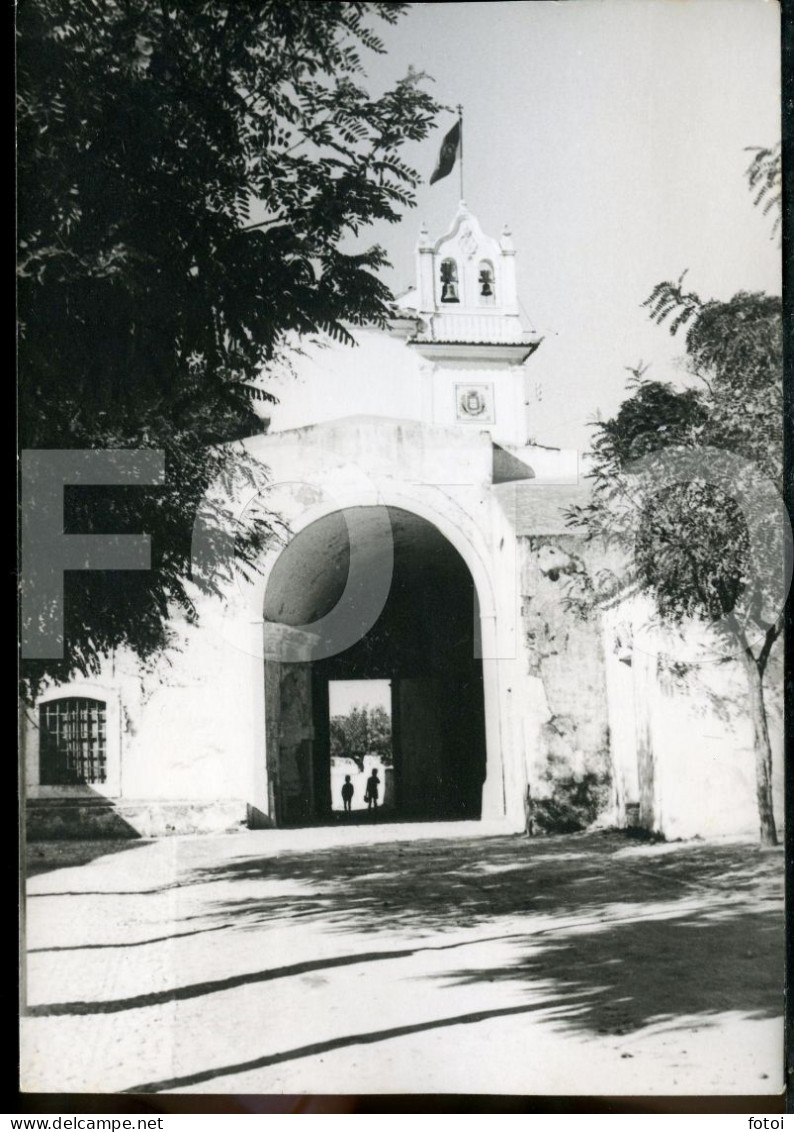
[{"x": 424, "y": 544}]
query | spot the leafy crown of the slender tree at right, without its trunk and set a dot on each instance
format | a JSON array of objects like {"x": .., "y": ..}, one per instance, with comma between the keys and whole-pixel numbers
[{"x": 690, "y": 541}]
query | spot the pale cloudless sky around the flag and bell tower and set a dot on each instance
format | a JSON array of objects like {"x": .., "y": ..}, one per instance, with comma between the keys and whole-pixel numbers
[{"x": 611, "y": 135}]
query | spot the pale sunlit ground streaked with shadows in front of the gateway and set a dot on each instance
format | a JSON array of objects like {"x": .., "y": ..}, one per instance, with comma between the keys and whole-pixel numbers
[{"x": 404, "y": 959}]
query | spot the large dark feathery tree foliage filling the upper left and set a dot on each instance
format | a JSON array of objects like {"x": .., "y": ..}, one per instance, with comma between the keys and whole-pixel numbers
[{"x": 191, "y": 177}]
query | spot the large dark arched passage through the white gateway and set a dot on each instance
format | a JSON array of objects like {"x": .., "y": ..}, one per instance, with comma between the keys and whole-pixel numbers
[{"x": 423, "y": 644}]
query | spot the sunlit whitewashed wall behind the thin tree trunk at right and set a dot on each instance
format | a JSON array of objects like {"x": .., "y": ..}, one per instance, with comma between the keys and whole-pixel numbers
[{"x": 681, "y": 737}]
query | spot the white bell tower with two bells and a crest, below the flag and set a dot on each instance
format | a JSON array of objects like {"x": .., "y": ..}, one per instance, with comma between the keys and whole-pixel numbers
[{"x": 469, "y": 332}]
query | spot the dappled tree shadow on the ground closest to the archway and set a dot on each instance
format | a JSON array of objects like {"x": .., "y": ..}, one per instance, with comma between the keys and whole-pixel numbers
[{"x": 429, "y": 887}]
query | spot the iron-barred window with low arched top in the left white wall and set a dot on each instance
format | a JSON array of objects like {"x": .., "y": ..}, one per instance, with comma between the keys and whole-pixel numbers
[{"x": 73, "y": 742}]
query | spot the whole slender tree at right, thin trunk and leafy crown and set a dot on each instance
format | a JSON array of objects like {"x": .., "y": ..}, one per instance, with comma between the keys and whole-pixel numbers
[{"x": 689, "y": 483}]
